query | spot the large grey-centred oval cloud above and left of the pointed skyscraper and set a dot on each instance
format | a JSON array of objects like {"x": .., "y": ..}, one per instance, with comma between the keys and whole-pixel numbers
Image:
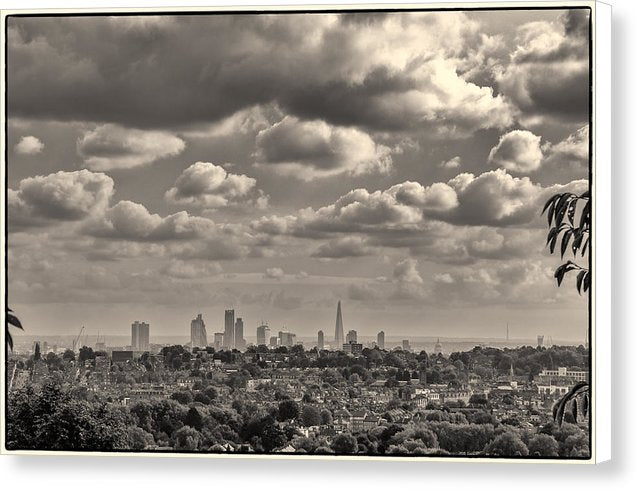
[{"x": 311, "y": 149}]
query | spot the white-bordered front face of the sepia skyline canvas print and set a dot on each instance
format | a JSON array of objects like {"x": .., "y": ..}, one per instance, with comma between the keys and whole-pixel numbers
[{"x": 346, "y": 232}]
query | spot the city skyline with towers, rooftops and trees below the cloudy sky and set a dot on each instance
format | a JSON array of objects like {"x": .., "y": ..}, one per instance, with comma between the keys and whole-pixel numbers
[{"x": 276, "y": 396}]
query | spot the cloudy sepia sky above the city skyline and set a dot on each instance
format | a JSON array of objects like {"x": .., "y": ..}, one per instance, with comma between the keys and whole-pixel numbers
[{"x": 164, "y": 166}]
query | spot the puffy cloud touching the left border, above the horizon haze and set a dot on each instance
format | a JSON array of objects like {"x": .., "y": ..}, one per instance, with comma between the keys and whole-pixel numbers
[{"x": 62, "y": 196}]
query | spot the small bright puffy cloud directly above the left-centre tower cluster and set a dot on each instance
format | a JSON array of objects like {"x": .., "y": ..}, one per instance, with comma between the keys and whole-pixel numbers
[{"x": 206, "y": 185}]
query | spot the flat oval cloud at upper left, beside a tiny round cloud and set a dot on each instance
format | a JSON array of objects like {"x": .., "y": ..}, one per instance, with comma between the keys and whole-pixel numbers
[{"x": 111, "y": 146}]
